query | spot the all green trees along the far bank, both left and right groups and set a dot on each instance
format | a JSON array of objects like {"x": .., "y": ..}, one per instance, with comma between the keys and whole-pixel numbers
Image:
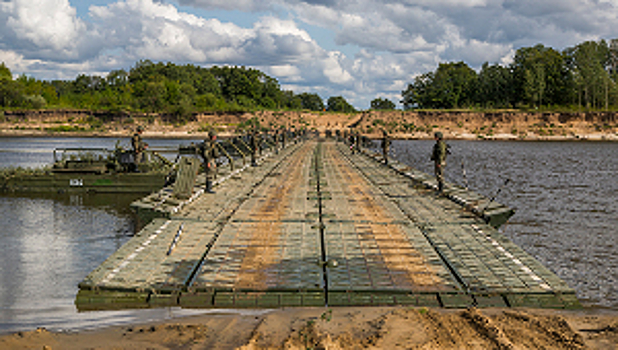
[{"x": 539, "y": 77}]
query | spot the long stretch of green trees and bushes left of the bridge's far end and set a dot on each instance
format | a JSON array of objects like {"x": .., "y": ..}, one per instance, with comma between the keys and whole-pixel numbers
[{"x": 178, "y": 90}]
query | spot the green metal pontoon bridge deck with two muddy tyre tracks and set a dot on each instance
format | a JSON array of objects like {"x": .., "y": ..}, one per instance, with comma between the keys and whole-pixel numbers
[{"x": 316, "y": 225}]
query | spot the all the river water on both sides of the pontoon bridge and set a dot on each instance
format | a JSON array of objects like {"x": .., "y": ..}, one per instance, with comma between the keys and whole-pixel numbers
[{"x": 565, "y": 195}]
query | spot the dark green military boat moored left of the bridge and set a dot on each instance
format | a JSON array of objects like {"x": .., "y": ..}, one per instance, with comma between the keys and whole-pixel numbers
[{"x": 94, "y": 170}]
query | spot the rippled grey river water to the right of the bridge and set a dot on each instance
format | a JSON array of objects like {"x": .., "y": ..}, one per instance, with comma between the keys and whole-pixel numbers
[{"x": 566, "y": 199}]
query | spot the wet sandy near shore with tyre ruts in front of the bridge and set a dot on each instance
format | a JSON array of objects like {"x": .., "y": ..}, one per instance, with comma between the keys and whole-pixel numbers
[{"x": 348, "y": 328}]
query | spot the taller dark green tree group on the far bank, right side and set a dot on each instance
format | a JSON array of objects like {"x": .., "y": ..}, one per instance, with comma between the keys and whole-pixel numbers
[{"x": 583, "y": 76}]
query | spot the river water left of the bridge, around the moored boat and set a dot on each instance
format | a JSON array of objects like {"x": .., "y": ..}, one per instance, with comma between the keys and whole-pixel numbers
[{"x": 50, "y": 242}]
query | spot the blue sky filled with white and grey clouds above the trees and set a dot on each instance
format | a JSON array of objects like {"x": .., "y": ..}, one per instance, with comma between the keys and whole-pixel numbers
[{"x": 358, "y": 49}]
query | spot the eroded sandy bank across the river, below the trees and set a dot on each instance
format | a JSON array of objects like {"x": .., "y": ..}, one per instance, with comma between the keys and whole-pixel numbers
[{"x": 456, "y": 125}]
